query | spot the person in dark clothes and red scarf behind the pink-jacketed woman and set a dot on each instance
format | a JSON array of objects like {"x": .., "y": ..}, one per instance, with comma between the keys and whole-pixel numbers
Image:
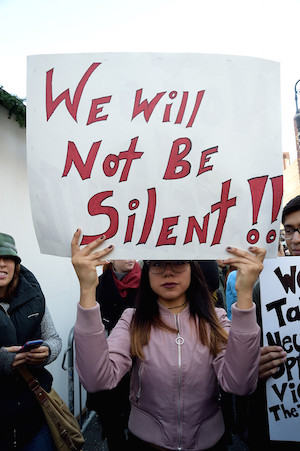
[{"x": 115, "y": 292}]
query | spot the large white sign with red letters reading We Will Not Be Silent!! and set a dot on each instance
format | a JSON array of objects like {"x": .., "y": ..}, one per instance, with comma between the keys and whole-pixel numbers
[{"x": 168, "y": 155}]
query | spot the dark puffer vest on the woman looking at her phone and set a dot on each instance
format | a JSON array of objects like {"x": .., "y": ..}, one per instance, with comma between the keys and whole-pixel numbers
[{"x": 20, "y": 414}]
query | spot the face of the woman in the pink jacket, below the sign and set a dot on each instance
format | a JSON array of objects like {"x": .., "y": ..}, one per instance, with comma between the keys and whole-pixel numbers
[{"x": 170, "y": 286}]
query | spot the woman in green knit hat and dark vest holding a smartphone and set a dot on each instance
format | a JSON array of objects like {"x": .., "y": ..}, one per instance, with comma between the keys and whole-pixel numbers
[{"x": 23, "y": 317}]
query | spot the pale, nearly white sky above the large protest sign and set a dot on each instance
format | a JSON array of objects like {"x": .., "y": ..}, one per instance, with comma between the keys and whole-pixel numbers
[{"x": 260, "y": 28}]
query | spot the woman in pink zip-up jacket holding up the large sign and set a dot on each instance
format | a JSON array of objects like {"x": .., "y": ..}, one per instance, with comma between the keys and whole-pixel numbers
[{"x": 179, "y": 348}]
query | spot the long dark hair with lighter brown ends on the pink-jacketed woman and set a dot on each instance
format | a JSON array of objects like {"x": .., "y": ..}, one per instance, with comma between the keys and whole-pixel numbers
[{"x": 201, "y": 306}]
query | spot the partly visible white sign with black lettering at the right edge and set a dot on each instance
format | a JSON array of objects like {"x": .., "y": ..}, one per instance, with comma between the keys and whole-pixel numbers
[{"x": 280, "y": 293}]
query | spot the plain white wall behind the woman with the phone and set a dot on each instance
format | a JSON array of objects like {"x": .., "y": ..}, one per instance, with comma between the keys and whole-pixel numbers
[{"x": 55, "y": 274}]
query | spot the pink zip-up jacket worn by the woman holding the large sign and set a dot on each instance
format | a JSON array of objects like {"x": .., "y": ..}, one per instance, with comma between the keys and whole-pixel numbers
[{"x": 174, "y": 391}]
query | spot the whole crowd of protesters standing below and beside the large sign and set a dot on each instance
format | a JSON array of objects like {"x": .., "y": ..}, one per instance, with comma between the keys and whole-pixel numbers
[{"x": 170, "y": 352}]
